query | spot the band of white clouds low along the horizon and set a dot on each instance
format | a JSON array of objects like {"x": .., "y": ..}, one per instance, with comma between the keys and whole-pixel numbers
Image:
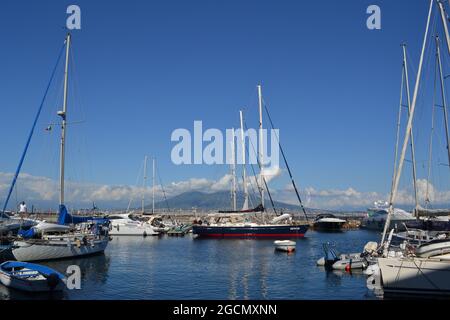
[{"x": 35, "y": 189}]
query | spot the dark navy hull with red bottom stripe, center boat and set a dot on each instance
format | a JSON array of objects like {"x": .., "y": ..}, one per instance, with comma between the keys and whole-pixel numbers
[{"x": 269, "y": 231}]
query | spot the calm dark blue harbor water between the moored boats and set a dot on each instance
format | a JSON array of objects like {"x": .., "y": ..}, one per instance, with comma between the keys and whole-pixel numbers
[{"x": 187, "y": 268}]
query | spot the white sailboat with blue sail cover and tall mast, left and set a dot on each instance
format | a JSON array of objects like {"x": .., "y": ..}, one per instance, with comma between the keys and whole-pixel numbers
[{"x": 48, "y": 241}]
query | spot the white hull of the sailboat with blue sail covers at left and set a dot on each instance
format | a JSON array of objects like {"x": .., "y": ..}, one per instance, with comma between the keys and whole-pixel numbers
[{"x": 26, "y": 251}]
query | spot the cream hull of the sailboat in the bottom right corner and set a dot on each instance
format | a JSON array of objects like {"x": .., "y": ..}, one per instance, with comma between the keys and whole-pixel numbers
[{"x": 415, "y": 276}]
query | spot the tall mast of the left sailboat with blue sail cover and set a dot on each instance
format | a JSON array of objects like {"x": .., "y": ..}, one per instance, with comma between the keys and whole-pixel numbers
[{"x": 63, "y": 115}]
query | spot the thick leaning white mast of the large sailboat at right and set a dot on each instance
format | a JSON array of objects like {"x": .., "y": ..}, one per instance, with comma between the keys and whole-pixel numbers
[{"x": 408, "y": 130}]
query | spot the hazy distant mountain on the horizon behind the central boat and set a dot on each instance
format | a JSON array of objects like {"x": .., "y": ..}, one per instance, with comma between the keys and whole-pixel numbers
[{"x": 220, "y": 201}]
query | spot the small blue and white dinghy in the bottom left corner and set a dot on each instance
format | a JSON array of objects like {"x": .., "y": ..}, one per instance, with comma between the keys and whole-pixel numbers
[{"x": 30, "y": 277}]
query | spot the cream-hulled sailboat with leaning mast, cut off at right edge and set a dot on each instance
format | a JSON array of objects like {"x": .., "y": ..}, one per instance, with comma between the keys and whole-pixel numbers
[{"x": 423, "y": 270}]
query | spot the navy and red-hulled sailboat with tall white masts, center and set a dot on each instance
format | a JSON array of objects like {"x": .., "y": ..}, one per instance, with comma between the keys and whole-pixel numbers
[{"x": 238, "y": 224}]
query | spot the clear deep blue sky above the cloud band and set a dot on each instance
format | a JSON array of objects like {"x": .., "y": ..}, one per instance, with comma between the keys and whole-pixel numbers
[{"x": 145, "y": 68}]
